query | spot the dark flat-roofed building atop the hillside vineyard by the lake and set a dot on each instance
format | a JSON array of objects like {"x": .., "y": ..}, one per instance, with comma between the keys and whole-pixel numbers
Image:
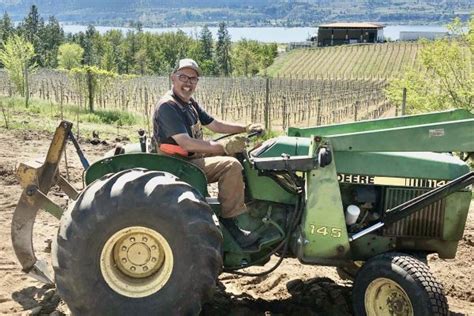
[{"x": 349, "y": 33}]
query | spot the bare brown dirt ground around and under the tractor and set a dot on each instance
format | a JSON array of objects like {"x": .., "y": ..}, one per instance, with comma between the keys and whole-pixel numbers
[{"x": 293, "y": 289}]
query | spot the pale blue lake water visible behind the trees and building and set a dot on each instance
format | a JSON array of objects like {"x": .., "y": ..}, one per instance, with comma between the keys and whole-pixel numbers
[{"x": 264, "y": 34}]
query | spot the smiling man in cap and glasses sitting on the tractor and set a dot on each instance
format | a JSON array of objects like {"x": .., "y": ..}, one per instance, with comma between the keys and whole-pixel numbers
[{"x": 177, "y": 122}]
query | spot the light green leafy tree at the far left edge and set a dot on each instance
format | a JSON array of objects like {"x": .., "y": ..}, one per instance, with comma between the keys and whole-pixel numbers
[{"x": 17, "y": 57}]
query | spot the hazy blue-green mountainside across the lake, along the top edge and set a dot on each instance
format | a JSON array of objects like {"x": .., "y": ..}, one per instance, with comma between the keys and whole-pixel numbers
[{"x": 242, "y": 12}]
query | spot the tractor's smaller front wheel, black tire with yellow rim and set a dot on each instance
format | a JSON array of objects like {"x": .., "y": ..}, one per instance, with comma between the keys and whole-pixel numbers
[{"x": 397, "y": 284}]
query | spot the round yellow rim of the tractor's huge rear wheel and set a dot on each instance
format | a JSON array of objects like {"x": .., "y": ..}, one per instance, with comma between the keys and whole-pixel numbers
[{"x": 136, "y": 261}]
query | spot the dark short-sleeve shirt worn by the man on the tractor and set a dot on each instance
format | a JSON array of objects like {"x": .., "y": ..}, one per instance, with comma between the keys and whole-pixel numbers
[{"x": 175, "y": 116}]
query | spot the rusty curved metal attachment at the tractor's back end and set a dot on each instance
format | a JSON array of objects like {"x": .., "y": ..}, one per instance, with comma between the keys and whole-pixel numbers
[{"x": 36, "y": 180}]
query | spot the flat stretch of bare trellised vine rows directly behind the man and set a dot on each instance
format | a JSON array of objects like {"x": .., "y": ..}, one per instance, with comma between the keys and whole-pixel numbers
[{"x": 279, "y": 102}]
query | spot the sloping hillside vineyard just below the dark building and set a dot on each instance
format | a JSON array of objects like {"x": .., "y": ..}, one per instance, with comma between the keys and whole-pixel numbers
[{"x": 385, "y": 60}]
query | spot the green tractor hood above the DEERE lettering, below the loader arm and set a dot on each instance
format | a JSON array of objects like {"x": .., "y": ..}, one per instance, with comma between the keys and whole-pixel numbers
[{"x": 419, "y": 165}]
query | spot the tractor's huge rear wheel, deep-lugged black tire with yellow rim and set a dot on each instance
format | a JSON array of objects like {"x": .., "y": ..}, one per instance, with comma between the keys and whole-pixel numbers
[{"x": 137, "y": 242}]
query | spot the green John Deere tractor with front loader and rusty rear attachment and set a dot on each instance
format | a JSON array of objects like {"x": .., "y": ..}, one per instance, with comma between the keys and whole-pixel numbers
[{"x": 372, "y": 198}]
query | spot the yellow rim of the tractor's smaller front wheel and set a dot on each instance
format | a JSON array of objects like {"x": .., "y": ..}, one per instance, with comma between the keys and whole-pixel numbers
[{"x": 385, "y": 297}]
